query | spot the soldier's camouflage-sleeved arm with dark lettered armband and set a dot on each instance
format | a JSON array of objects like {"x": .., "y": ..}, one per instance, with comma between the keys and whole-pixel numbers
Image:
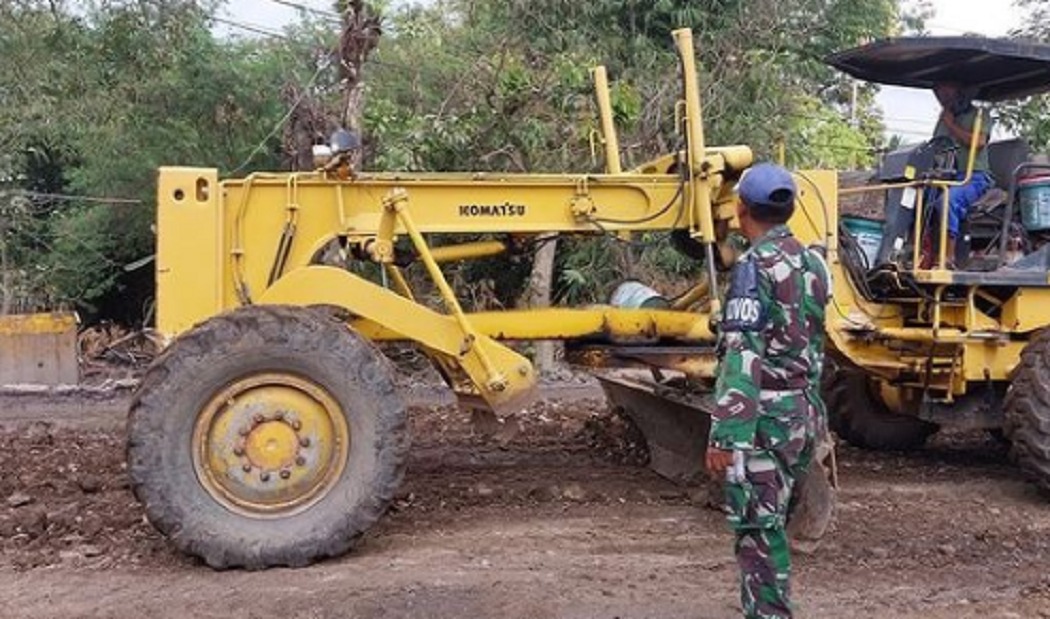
[{"x": 740, "y": 376}]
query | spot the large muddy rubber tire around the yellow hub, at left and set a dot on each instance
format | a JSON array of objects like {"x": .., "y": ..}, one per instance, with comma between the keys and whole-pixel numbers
[{"x": 308, "y": 344}]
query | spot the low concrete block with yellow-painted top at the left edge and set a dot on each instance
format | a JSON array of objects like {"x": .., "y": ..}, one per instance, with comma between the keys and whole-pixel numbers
[{"x": 39, "y": 349}]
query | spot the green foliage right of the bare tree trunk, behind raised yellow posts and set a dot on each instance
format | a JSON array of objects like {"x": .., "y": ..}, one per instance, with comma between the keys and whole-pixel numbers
[{"x": 506, "y": 87}]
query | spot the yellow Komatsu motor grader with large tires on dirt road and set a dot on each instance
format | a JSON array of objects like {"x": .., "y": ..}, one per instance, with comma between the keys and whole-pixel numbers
[{"x": 271, "y": 433}]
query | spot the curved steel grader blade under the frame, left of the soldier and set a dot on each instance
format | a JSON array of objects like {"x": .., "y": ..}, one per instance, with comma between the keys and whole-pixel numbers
[{"x": 674, "y": 422}]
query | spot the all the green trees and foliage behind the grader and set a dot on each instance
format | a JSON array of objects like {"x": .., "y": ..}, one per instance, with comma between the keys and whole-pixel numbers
[{"x": 95, "y": 98}]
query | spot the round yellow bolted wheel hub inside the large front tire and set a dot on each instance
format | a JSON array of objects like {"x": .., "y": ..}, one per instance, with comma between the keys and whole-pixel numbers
[{"x": 270, "y": 445}]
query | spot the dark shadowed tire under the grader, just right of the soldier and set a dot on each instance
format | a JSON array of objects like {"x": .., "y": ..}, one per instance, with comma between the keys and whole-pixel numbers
[{"x": 859, "y": 417}]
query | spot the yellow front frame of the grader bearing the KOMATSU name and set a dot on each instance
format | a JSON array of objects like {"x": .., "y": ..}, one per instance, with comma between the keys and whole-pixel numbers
[{"x": 256, "y": 240}]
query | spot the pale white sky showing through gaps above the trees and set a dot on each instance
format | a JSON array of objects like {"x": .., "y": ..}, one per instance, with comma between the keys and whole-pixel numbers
[{"x": 909, "y": 113}]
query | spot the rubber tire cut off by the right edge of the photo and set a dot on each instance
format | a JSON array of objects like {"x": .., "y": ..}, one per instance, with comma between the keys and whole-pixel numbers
[{"x": 1027, "y": 411}]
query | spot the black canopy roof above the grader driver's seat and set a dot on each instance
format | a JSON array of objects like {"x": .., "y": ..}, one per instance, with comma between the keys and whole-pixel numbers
[{"x": 999, "y": 69}]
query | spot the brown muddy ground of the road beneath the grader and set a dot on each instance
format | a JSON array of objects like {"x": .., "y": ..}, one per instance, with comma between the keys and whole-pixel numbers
[{"x": 560, "y": 521}]
